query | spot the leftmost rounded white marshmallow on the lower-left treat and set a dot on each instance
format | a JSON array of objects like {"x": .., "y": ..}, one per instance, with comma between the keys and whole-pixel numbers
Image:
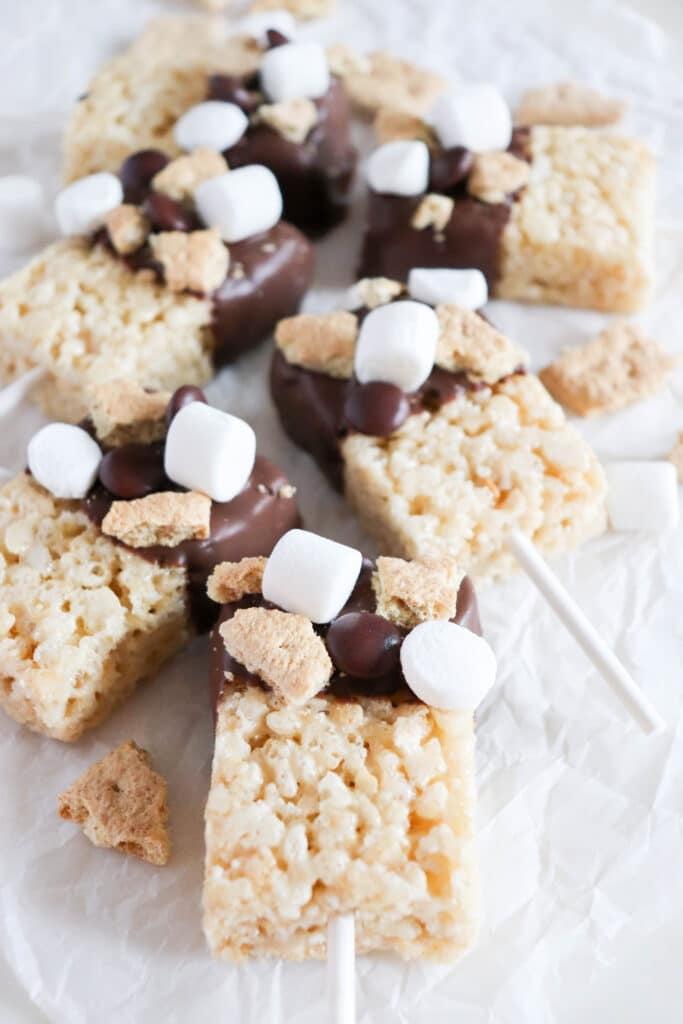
[{"x": 65, "y": 460}]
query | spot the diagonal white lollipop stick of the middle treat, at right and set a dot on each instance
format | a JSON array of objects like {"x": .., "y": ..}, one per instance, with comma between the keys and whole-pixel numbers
[{"x": 585, "y": 634}]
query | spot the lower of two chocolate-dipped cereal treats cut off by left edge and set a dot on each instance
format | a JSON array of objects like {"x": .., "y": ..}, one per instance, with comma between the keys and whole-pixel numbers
[{"x": 105, "y": 556}]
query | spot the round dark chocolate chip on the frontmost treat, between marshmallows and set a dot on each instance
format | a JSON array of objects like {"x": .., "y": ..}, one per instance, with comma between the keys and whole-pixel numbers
[{"x": 364, "y": 646}]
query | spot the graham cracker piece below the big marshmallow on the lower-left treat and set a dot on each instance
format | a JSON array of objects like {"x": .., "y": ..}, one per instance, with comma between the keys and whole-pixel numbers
[{"x": 166, "y": 519}]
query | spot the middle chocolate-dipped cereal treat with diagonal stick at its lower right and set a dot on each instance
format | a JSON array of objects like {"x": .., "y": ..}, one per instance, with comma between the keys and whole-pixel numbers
[{"x": 428, "y": 422}]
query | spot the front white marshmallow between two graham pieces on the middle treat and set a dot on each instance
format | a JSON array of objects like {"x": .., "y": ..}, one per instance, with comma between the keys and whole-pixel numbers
[{"x": 398, "y": 345}]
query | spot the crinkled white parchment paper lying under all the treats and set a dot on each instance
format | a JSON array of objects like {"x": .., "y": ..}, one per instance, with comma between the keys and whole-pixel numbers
[{"x": 580, "y": 816}]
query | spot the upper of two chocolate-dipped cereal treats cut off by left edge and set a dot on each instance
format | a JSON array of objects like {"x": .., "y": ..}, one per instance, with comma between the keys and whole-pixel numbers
[{"x": 147, "y": 286}]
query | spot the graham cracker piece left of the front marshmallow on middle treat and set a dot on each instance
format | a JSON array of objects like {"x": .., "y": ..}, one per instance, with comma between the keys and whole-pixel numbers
[{"x": 323, "y": 344}]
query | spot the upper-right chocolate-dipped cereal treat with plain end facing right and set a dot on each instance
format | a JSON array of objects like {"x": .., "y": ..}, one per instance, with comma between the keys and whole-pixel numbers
[{"x": 553, "y": 215}]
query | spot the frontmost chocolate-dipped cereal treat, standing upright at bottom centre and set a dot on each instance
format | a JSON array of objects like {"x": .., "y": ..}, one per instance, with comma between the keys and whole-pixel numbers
[{"x": 344, "y": 773}]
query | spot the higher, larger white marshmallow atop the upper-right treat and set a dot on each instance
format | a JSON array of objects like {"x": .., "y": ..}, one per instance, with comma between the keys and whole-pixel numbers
[{"x": 476, "y": 116}]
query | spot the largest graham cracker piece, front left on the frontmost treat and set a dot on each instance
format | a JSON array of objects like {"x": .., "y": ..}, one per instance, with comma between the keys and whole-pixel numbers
[{"x": 283, "y": 650}]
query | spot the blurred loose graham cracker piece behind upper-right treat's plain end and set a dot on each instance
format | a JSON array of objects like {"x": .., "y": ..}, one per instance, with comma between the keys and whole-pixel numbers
[{"x": 569, "y": 104}]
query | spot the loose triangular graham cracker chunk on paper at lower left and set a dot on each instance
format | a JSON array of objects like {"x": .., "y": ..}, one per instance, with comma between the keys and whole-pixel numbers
[{"x": 120, "y": 802}]
